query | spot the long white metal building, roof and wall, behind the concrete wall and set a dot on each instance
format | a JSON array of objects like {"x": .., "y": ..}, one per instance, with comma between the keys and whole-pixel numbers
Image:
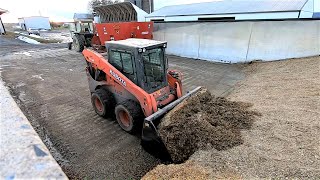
[{"x": 228, "y": 10}]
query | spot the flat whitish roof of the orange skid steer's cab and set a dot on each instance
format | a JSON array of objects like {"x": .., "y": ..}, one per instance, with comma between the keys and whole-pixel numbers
[{"x": 137, "y": 43}]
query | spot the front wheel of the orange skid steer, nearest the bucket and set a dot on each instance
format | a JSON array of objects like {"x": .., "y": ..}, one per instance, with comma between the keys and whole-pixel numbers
[{"x": 129, "y": 116}]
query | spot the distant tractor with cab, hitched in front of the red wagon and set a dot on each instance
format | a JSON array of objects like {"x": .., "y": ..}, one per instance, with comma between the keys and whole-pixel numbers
[{"x": 81, "y": 31}]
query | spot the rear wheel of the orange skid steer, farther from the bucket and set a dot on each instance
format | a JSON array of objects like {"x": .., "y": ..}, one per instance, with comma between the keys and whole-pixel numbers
[{"x": 103, "y": 102}]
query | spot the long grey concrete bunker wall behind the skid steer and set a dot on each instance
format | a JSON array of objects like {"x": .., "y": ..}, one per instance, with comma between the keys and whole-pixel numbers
[{"x": 241, "y": 41}]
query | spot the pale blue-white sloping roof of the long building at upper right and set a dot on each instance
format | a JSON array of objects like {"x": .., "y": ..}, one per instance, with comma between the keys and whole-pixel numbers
[{"x": 230, "y": 7}]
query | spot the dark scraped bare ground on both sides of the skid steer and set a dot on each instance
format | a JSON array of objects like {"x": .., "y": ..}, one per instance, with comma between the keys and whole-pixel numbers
[{"x": 50, "y": 85}]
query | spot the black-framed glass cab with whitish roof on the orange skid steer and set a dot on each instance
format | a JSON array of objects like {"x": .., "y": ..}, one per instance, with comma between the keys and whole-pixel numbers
[{"x": 143, "y": 61}]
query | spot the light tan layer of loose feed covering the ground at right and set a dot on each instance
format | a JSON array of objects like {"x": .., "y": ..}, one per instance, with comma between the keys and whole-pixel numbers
[{"x": 284, "y": 142}]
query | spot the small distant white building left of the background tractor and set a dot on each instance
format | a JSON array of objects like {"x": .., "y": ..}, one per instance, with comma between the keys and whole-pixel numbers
[{"x": 34, "y": 22}]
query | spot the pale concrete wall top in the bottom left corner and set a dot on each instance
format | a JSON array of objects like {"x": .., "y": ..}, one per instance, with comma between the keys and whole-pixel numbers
[{"x": 23, "y": 154}]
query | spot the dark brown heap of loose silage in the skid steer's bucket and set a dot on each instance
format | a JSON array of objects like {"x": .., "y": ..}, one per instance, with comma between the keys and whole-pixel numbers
[{"x": 204, "y": 121}]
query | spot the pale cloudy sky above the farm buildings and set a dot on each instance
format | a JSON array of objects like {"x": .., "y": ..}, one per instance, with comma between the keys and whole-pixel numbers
[{"x": 60, "y": 10}]
